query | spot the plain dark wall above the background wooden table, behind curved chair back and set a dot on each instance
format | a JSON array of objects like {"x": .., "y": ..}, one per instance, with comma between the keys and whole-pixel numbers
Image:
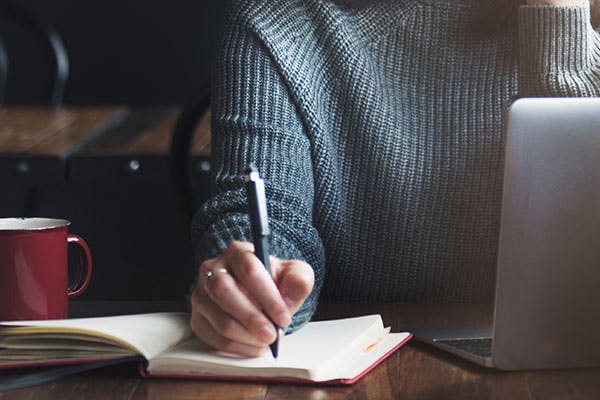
[{"x": 128, "y": 51}]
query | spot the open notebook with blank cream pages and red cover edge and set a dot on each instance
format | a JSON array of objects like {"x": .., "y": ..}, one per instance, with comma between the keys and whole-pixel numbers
[{"x": 337, "y": 351}]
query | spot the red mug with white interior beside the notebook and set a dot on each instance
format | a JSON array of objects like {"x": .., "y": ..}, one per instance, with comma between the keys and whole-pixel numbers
[{"x": 34, "y": 268}]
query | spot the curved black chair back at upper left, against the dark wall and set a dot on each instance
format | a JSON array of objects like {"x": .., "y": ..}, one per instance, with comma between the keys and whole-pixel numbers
[{"x": 49, "y": 38}]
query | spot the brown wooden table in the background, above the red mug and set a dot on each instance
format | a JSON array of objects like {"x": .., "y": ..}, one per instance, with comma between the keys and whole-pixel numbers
[{"x": 79, "y": 145}]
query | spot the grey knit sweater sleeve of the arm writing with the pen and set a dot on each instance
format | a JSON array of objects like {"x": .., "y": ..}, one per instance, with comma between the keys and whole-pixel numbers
[{"x": 254, "y": 120}]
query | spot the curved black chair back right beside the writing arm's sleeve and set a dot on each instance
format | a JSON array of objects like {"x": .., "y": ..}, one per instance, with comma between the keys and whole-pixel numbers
[{"x": 182, "y": 180}]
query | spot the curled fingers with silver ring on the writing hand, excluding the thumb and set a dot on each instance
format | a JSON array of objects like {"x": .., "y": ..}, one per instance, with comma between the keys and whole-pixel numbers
[{"x": 227, "y": 315}]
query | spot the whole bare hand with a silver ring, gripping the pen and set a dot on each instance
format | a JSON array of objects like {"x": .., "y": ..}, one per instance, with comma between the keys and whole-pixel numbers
[{"x": 236, "y": 296}]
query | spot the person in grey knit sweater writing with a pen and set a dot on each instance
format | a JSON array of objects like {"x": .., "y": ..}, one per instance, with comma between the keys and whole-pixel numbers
[{"x": 377, "y": 126}]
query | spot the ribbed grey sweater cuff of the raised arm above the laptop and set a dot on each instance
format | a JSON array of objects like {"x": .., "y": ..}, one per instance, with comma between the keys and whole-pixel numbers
[{"x": 559, "y": 52}]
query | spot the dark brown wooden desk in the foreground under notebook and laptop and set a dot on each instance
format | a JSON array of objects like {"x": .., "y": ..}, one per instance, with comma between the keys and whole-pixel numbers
[{"x": 416, "y": 371}]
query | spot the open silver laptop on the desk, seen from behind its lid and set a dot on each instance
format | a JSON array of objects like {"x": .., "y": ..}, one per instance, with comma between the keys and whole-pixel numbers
[{"x": 547, "y": 302}]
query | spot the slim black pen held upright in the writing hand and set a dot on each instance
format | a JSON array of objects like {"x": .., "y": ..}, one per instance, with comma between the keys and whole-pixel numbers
[{"x": 257, "y": 208}]
